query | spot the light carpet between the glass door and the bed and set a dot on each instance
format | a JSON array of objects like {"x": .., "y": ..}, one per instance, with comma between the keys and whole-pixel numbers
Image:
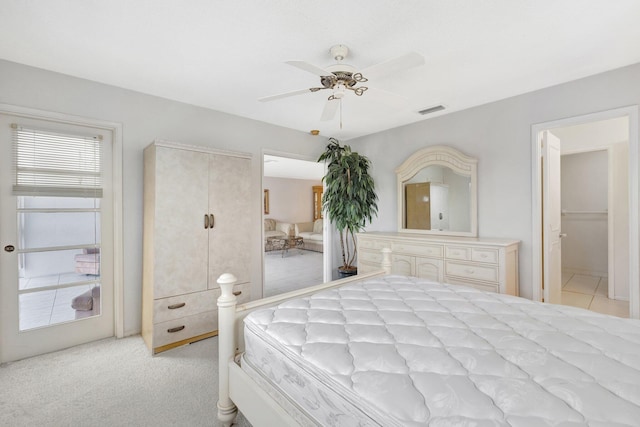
[{"x": 113, "y": 383}]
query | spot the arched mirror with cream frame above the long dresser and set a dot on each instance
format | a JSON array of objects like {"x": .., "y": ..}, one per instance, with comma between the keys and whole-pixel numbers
[{"x": 437, "y": 193}]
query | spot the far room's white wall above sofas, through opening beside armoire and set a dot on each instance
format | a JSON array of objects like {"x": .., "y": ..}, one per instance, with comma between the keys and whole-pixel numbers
[{"x": 290, "y": 200}]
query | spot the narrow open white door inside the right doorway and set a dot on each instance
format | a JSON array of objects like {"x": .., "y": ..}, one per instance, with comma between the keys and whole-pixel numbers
[{"x": 551, "y": 219}]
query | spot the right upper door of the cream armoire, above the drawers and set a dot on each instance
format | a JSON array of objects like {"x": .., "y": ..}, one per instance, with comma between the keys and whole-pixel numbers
[{"x": 230, "y": 205}]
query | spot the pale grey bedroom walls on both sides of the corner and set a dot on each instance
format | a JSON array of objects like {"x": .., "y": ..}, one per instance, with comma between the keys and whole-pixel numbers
[{"x": 498, "y": 134}]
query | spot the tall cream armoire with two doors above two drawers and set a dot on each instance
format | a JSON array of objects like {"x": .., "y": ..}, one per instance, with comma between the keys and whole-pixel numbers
[{"x": 196, "y": 227}]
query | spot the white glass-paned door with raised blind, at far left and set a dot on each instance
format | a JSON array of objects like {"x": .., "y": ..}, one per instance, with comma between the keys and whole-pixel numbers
[{"x": 54, "y": 247}]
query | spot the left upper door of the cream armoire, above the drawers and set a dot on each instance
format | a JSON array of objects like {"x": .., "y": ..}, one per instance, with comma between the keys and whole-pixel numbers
[{"x": 180, "y": 237}]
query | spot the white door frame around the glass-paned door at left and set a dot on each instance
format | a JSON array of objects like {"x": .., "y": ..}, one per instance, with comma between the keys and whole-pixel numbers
[{"x": 116, "y": 169}]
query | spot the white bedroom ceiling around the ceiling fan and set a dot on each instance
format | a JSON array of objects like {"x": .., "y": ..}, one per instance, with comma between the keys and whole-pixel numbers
[{"x": 225, "y": 55}]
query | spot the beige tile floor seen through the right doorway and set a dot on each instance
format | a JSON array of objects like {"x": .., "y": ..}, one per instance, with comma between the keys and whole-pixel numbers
[{"x": 590, "y": 292}]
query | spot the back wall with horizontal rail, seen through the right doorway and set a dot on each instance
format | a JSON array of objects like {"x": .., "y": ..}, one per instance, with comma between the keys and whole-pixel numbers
[{"x": 584, "y": 188}]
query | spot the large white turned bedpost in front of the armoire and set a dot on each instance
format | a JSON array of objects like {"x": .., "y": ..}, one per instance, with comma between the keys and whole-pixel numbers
[{"x": 227, "y": 410}]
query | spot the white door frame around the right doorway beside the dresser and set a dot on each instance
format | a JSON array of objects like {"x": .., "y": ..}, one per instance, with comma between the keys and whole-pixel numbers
[{"x": 631, "y": 113}]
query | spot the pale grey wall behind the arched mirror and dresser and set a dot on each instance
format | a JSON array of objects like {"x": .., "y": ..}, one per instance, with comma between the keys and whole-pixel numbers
[{"x": 499, "y": 135}]
